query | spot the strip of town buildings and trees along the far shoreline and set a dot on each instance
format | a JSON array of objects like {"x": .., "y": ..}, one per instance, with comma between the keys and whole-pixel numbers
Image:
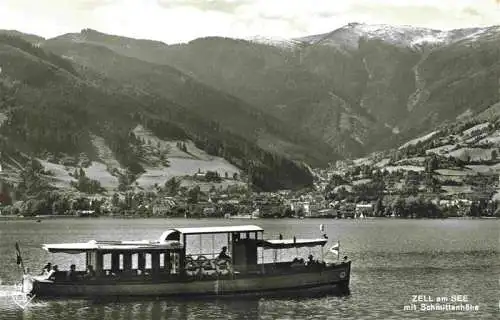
[{"x": 345, "y": 190}]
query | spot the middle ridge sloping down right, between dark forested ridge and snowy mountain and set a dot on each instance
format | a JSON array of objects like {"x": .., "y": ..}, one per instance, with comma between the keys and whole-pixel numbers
[{"x": 230, "y": 113}]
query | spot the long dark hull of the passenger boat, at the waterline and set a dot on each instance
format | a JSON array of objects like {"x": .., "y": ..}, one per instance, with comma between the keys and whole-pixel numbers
[{"x": 329, "y": 280}]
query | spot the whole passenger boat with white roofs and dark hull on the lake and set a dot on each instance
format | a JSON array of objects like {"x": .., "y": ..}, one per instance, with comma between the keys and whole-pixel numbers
[{"x": 185, "y": 262}]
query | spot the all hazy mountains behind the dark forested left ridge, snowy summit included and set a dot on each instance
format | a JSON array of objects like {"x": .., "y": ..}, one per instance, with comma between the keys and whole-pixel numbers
[{"x": 310, "y": 101}]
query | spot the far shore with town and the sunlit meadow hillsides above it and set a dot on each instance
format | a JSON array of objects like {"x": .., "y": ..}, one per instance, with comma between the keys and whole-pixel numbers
[{"x": 450, "y": 172}]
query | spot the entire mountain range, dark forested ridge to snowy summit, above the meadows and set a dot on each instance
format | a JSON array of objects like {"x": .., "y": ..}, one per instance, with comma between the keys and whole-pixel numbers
[{"x": 262, "y": 104}]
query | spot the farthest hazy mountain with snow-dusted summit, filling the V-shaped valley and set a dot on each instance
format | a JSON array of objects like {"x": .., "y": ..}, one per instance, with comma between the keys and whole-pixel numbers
[{"x": 359, "y": 88}]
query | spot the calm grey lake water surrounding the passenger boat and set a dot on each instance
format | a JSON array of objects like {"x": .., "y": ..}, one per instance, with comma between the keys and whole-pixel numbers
[{"x": 392, "y": 261}]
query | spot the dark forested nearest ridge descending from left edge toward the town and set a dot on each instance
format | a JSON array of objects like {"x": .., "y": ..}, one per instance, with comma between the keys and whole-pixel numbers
[{"x": 31, "y": 126}]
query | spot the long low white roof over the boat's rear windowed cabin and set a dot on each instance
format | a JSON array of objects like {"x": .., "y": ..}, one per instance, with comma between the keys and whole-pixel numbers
[{"x": 110, "y": 246}]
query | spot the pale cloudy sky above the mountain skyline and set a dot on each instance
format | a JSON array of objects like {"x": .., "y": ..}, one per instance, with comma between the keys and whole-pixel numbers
[{"x": 174, "y": 21}]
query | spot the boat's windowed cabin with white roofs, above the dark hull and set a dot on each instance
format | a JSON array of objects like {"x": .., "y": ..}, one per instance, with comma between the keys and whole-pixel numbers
[{"x": 184, "y": 252}]
